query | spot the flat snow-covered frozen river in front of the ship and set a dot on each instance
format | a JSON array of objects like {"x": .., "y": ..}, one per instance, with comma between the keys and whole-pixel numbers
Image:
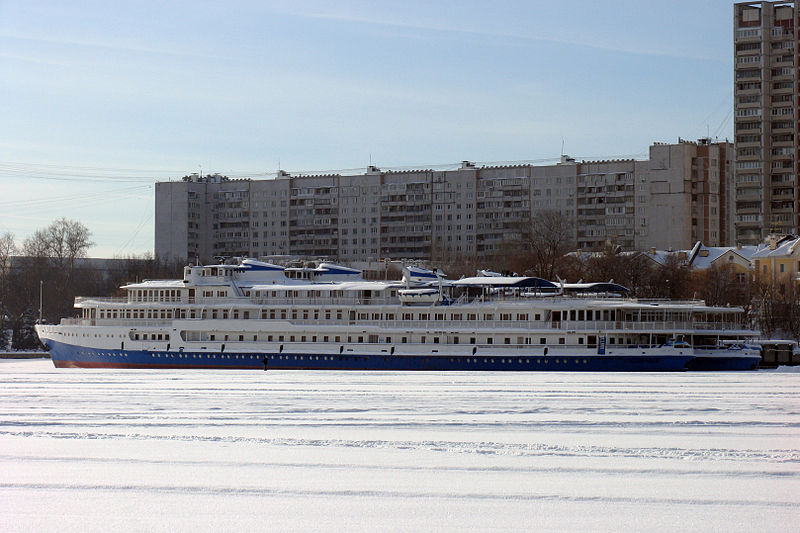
[{"x": 195, "y": 450}]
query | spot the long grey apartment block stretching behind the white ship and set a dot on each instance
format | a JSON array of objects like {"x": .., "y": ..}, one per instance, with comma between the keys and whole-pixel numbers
[{"x": 671, "y": 200}]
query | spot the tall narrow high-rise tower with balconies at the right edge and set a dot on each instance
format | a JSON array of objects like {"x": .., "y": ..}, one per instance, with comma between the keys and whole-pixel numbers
[{"x": 767, "y": 191}]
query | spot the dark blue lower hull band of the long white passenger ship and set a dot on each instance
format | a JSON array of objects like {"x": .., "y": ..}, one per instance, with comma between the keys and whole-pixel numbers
[{"x": 67, "y": 355}]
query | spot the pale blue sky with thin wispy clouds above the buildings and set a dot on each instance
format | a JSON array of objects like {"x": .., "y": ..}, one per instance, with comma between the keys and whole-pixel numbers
[{"x": 99, "y": 99}]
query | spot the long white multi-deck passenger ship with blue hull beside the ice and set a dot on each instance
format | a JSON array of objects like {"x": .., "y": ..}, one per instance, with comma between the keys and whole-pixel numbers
[{"x": 259, "y": 315}]
